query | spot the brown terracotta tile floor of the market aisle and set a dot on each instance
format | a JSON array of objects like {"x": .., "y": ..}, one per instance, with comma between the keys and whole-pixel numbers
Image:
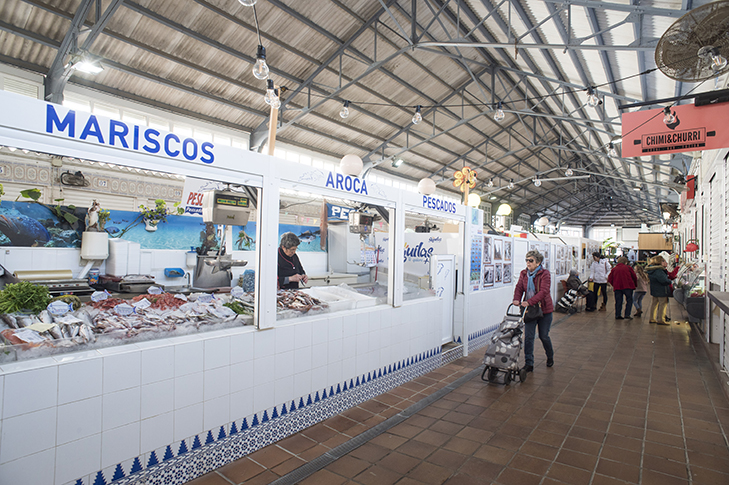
[{"x": 626, "y": 402}]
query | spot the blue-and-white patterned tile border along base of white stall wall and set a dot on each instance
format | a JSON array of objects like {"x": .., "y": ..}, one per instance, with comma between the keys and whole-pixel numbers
[{"x": 179, "y": 463}]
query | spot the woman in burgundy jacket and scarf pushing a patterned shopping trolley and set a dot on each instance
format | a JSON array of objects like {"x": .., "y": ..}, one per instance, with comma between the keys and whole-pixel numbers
[{"x": 534, "y": 285}]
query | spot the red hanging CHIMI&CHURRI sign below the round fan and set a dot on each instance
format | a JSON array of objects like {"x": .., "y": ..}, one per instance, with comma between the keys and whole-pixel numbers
[{"x": 694, "y": 129}]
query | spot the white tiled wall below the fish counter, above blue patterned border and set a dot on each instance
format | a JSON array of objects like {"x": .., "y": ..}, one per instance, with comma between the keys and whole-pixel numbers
[{"x": 69, "y": 417}]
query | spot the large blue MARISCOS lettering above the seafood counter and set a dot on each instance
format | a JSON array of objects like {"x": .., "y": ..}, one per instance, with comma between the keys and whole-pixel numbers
[{"x": 116, "y": 134}]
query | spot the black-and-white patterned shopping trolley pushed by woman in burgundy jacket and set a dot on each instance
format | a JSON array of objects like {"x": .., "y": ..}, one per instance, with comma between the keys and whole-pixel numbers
[{"x": 502, "y": 354}]
